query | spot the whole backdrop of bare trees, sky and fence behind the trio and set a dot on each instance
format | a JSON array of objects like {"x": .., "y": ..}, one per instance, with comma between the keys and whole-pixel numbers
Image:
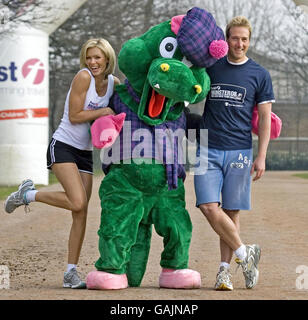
[{"x": 279, "y": 43}]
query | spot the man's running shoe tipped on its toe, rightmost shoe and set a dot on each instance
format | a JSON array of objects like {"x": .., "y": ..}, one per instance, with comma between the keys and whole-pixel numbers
[{"x": 250, "y": 265}]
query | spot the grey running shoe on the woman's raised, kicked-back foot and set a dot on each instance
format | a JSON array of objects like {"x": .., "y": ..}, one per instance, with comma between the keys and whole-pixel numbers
[{"x": 17, "y": 198}]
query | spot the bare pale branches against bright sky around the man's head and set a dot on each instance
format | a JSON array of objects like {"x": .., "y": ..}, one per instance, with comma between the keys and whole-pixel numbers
[{"x": 279, "y": 36}]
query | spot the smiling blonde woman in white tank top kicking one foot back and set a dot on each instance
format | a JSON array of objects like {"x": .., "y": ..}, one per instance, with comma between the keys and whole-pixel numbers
[{"x": 69, "y": 153}]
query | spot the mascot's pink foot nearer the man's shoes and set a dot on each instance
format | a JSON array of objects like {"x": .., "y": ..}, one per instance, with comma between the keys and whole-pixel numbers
[{"x": 179, "y": 279}]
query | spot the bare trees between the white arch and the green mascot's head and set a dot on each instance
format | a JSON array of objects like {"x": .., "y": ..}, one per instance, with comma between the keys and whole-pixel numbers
[{"x": 116, "y": 21}]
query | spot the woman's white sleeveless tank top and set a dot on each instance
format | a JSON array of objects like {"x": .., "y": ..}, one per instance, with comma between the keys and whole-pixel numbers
[{"x": 78, "y": 135}]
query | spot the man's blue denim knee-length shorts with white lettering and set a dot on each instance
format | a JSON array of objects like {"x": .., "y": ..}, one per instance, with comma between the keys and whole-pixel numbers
[{"x": 226, "y": 178}]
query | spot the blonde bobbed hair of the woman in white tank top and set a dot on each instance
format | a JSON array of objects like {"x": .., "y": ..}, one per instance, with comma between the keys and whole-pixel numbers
[{"x": 106, "y": 49}]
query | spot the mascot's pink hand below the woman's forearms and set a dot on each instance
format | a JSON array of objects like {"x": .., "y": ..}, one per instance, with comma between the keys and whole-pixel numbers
[{"x": 106, "y": 129}]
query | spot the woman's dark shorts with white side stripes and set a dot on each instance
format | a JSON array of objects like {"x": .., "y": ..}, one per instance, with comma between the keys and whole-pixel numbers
[{"x": 59, "y": 152}]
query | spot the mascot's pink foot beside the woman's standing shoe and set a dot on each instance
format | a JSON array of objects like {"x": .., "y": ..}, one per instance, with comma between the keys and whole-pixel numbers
[{"x": 101, "y": 280}]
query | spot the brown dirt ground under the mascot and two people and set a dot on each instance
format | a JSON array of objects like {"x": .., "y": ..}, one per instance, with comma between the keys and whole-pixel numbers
[{"x": 34, "y": 246}]
